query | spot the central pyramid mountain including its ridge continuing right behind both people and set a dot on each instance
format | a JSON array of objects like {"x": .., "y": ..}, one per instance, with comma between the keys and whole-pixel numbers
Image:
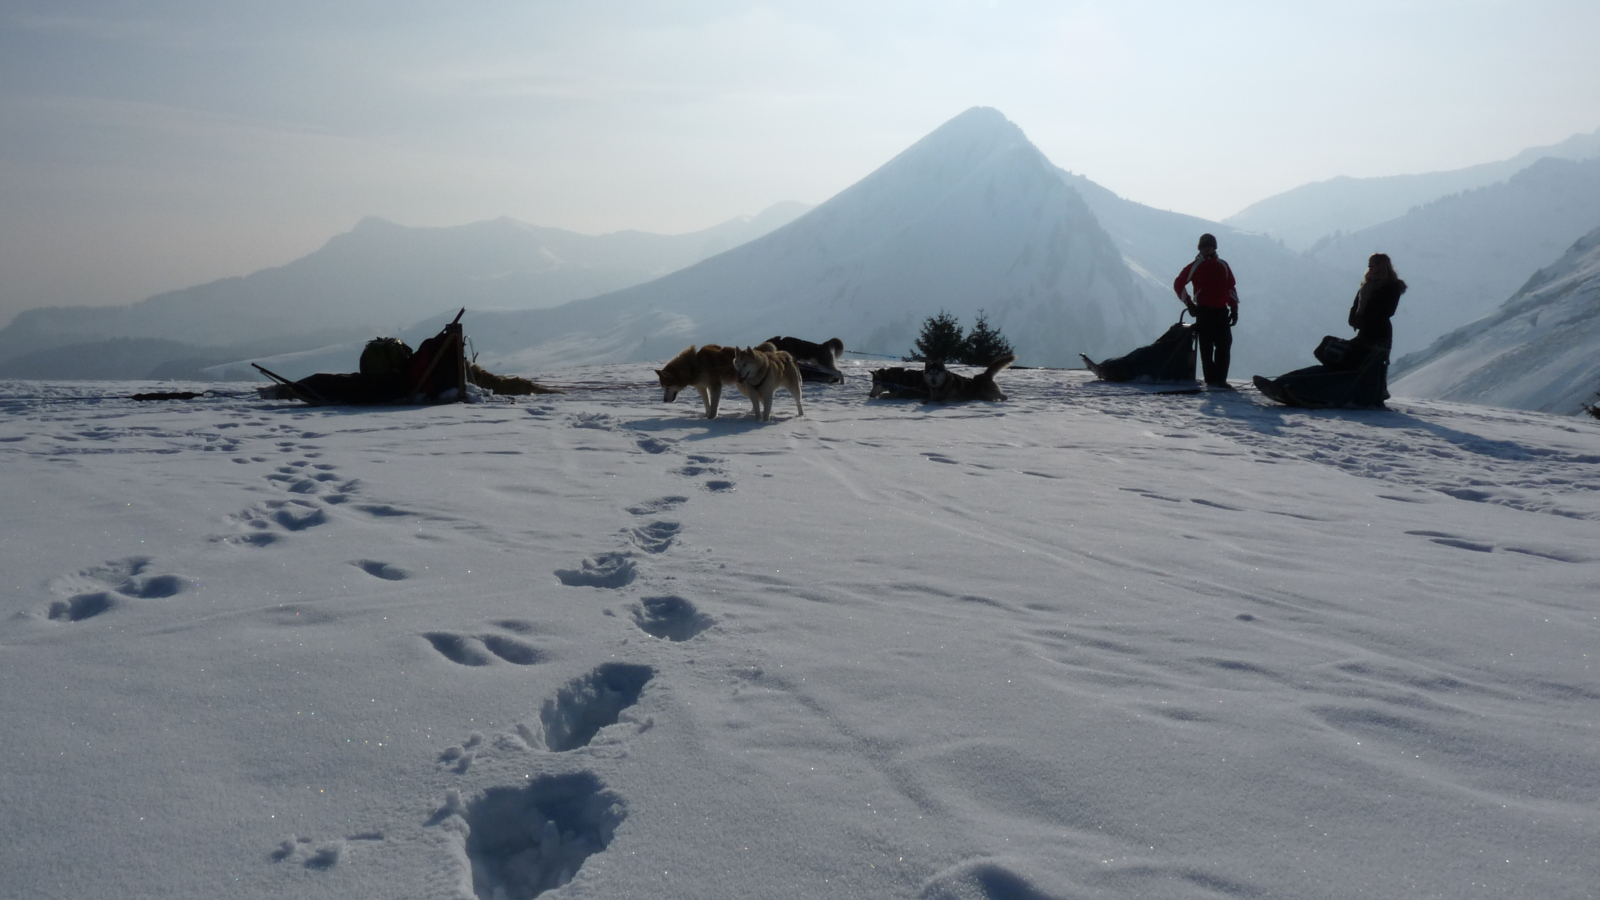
[{"x": 974, "y": 217}]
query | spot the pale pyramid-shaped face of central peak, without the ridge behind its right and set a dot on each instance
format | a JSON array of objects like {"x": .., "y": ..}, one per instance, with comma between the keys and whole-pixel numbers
[{"x": 972, "y": 217}]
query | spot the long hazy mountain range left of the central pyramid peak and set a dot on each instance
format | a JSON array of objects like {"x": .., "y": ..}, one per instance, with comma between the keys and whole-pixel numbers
[{"x": 375, "y": 279}]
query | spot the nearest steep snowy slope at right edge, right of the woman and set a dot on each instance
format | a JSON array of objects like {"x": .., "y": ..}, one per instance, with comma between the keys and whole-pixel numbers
[{"x": 1540, "y": 352}]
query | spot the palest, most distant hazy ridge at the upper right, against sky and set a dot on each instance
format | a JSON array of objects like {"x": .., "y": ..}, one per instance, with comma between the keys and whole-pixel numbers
[{"x": 1311, "y": 212}]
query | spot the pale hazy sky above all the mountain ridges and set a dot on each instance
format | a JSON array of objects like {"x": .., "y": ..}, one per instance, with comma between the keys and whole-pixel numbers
[{"x": 158, "y": 145}]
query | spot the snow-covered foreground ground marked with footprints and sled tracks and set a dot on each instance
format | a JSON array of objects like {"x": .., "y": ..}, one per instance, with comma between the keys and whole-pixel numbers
[{"x": 1094, "y": 643}]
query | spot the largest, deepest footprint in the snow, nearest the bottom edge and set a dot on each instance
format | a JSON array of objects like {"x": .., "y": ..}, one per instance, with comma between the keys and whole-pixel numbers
[{"x": 527, "y": 840}]
